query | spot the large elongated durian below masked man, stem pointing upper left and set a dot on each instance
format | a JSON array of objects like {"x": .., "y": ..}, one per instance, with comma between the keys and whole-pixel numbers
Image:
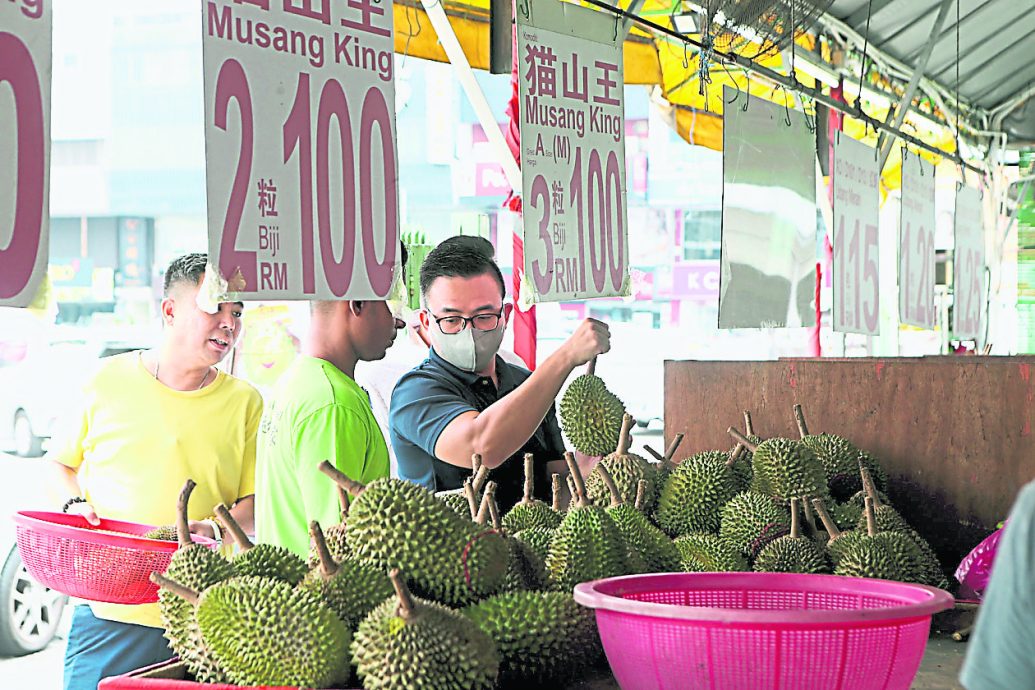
[{"x": 396, "y": 524}]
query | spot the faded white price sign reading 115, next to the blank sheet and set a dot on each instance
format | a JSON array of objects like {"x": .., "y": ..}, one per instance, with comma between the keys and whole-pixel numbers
[{"x": 856, "y": 261}]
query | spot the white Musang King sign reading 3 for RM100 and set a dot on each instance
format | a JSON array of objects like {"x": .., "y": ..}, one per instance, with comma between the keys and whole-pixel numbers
[{"x": 573, "y": 153}]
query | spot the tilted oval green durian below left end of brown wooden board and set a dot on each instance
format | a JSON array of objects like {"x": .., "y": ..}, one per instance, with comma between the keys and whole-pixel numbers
[{"x": 693, "y": 498}]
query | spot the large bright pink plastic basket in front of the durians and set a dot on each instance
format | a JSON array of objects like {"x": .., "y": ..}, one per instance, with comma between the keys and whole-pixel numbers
[{"x": 749, "y": 632}]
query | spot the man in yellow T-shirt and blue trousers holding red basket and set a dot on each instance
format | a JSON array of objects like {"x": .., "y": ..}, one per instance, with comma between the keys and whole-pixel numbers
[{"x": 150, "y": 423}]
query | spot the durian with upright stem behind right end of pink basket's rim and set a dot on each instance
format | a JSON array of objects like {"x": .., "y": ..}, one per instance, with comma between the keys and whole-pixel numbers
[{"x": 884, "y": 556}]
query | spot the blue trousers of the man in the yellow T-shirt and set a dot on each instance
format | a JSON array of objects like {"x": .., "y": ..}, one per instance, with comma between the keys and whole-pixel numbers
[{"x": 101, "y": 649}]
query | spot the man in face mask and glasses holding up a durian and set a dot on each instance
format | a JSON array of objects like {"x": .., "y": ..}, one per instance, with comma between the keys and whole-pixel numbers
[{"x": 464, "y": 399}]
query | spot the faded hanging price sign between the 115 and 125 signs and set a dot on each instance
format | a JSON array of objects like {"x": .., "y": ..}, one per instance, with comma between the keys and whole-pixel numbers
[{"x": 916, "y": 244}]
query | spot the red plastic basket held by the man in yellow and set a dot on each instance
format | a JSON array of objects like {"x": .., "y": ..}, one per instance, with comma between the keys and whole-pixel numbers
[{"x": 69, "y": 555}]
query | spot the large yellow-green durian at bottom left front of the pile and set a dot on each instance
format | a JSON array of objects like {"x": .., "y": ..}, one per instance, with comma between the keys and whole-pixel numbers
[{"x": 267, "y": 633}]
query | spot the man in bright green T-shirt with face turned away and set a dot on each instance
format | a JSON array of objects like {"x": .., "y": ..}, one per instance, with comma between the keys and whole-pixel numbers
[{"x": 318, "y": 413}]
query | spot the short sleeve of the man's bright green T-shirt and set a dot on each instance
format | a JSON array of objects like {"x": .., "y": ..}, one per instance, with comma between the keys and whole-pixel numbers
[{"x": 335, "y": 434}]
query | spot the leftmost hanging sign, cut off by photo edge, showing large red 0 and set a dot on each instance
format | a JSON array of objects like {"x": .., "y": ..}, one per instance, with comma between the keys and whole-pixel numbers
[{"x": 25, "y": 148}]
